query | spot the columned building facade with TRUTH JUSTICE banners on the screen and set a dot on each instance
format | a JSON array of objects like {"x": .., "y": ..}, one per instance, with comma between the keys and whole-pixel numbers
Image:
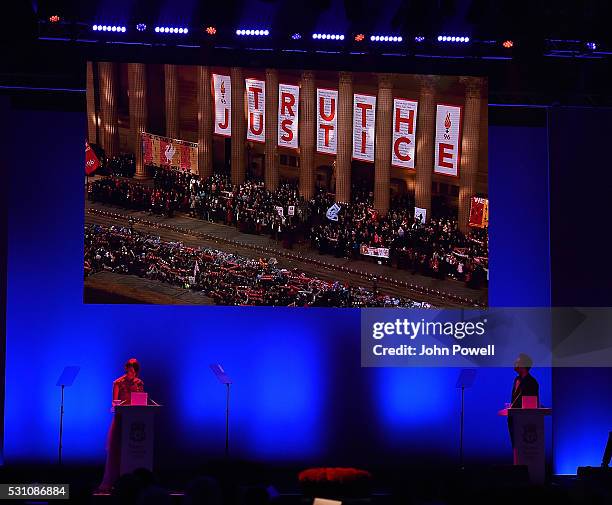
[{"x": 123, "y": 100}]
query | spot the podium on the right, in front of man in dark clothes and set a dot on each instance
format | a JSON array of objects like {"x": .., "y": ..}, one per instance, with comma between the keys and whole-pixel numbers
[{"x": 529, "y": 441}]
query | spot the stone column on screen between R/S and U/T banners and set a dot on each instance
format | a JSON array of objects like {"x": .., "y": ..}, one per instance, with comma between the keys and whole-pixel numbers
[{"x": 307, "y": 135}]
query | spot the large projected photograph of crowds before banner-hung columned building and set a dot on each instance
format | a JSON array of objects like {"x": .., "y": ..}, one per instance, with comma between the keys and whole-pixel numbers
[{"x": 304, "y": 188}]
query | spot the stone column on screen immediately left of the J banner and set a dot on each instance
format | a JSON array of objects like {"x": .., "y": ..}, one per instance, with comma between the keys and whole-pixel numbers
[{"x": 205, "y": 126}]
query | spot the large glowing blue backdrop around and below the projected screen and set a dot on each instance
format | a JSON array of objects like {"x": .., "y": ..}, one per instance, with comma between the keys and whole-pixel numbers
[{"x": 299, "y": 394}]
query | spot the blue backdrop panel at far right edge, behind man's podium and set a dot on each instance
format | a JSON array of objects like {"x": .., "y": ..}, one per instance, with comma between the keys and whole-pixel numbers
[{"x": 580, "y": 207}]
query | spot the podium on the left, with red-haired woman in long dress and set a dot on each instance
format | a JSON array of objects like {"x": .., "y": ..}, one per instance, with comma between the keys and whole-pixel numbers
[{"x": 136, "y": 437}]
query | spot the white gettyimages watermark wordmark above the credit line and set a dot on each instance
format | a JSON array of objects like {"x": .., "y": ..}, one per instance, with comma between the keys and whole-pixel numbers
[{"x": 412, "y": 329}]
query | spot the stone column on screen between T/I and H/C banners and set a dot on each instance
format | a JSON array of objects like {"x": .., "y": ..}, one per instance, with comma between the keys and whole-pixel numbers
[{"x": 384, "y": 135}]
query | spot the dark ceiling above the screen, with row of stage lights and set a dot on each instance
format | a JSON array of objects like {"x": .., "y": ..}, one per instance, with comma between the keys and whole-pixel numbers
[{"x": 549, "y": 63}]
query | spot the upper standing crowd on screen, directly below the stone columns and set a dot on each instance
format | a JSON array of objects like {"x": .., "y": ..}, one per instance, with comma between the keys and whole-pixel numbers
[{"x": 435, "y": 248}]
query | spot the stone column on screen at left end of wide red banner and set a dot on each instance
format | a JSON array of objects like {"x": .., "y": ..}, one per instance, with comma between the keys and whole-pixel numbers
[{"x": 137, "y": 86}]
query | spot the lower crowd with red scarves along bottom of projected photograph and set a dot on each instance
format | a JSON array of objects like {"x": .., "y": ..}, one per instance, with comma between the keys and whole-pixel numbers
[{"x": 227, "y": 278}]
